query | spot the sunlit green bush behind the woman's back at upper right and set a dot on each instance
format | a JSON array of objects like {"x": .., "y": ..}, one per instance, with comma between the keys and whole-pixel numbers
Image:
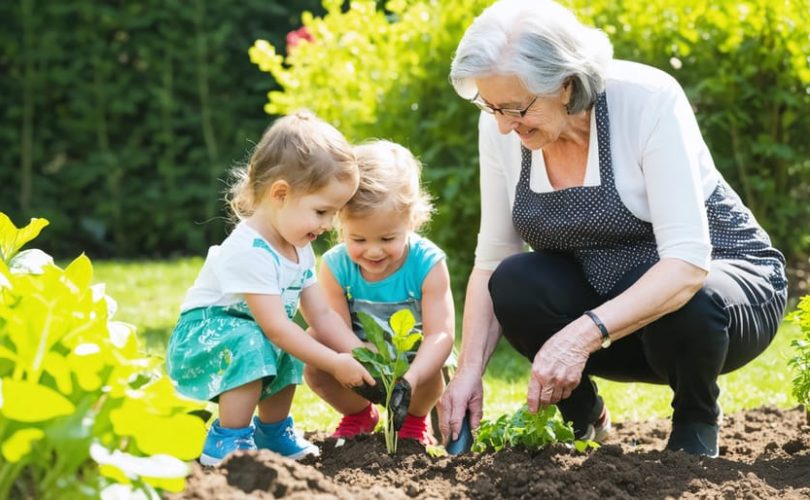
[{"x": 745, "y": 68}]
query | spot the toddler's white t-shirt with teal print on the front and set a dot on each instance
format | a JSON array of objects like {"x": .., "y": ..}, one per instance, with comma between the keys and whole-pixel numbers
[{"x": 246, "y": 263}]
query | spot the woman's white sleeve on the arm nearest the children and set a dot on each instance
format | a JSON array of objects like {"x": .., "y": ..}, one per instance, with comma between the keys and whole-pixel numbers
[{"x": 497, "y": 238}]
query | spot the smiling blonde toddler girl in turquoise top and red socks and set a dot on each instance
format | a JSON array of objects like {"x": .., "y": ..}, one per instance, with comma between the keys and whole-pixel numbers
[{"x": 383, "y": 266}]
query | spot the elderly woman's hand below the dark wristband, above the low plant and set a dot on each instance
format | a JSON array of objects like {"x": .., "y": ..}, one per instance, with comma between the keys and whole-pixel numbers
[{"x": 557, "y": 369}]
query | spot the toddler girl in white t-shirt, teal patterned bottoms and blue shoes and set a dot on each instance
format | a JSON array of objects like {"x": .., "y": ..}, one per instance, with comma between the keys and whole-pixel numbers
[{"x": 235, "y": 342}]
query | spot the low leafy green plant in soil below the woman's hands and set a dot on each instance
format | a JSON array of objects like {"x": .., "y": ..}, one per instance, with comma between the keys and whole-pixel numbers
[{"x": 523, "y": 428}]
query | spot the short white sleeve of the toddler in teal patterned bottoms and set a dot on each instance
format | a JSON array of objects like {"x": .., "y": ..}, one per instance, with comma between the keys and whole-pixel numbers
[{"x": 250, "y": 270}]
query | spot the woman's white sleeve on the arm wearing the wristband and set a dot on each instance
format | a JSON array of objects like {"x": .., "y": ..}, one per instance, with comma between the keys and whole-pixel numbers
[{"x": 671, "y": 161}]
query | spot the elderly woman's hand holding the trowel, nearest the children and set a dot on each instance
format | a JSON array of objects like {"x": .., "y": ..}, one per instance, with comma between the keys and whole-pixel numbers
[{"x": 465, "y": 391}]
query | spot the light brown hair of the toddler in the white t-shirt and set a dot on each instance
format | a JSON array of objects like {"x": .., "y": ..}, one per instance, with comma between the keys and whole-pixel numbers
[{"x": 299, "y": 148}]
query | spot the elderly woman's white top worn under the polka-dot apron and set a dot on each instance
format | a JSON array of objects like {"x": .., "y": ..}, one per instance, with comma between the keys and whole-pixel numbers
[{"x": 664, "y": 172}]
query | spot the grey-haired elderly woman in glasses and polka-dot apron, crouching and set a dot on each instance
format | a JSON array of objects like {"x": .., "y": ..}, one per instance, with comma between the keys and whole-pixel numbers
[{"x": 646, "y": 266}]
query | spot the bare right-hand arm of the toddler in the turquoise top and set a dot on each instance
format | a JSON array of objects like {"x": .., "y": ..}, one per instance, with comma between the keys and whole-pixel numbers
[{"x": 438, "y": 325}]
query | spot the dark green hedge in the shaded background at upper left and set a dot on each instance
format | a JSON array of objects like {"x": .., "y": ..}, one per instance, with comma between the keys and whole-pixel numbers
[{"x": 122, "y": 118}]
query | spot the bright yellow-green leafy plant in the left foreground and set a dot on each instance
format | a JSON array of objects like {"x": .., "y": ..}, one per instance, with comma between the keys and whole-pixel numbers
[{"x": 76, "y": 397}]
